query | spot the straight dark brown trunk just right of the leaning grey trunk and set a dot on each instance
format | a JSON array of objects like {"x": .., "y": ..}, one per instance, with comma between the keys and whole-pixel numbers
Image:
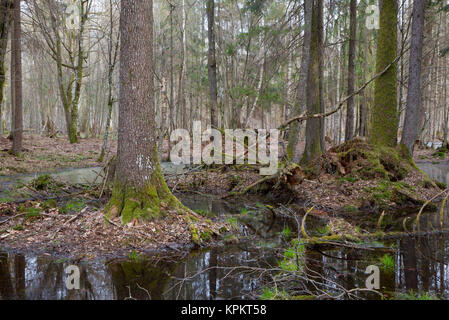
[{"x": 314, "y": 127}]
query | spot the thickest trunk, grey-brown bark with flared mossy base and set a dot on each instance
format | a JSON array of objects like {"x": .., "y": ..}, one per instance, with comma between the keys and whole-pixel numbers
[{"x": 139, "y": 187}]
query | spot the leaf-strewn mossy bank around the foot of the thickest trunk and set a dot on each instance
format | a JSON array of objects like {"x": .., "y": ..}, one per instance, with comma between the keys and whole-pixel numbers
[{"x": 68, "y": 220}]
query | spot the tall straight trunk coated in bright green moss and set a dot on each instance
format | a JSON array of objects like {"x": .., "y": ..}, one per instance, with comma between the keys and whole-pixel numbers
[{"x": 384, "y": 126}]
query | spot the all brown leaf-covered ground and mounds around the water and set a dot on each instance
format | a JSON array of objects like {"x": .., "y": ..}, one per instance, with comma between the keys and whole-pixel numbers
[{"x": 68, "y": 220}]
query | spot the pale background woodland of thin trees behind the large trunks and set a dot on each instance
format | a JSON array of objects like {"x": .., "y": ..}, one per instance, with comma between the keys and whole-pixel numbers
[{"x": 258, "y": 65}]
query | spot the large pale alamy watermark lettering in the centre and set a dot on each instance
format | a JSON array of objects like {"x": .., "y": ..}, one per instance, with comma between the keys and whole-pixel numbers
[{"x": 239, "y": 145}]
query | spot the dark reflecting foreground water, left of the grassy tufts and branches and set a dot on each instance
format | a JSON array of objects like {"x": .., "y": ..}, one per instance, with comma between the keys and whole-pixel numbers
[{"x": 199, "y": 275}]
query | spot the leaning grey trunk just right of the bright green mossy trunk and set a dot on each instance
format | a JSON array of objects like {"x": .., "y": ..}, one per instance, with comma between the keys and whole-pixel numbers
[{"x": 413, "y": 108}]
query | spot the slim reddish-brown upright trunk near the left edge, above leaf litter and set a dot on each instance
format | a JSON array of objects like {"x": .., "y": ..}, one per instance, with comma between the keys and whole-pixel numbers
[{"x": 16, "y": 59}]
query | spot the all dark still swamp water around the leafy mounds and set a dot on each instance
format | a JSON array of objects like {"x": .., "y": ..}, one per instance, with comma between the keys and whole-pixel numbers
[{"x": 418, "y": 264}]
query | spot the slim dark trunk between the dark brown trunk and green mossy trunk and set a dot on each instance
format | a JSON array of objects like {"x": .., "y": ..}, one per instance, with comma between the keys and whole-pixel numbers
[{"x": 349, "y": 133}]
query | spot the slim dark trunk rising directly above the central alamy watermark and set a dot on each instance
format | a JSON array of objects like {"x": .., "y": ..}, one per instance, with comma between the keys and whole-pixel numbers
[{"x": 212, "y": 63}]
